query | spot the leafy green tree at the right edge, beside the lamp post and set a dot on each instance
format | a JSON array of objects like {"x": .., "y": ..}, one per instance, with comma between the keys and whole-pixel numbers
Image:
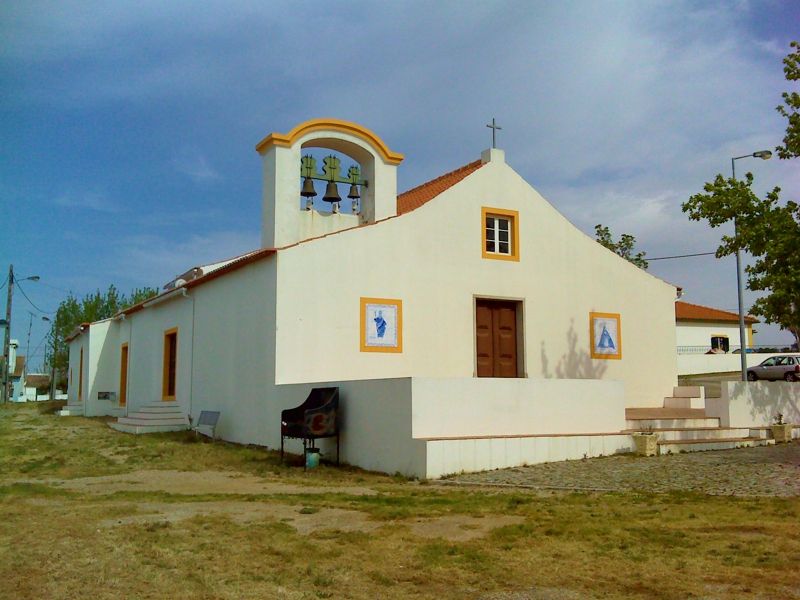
[{"x": 766, "y": 228}]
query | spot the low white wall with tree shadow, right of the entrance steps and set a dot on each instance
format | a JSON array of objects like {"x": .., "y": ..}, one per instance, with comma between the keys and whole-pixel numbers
[{"x": 755, "y": 404}]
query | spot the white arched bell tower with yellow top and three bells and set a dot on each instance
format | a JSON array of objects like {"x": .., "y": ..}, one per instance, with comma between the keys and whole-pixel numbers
[{"x": 289, "y": 173}]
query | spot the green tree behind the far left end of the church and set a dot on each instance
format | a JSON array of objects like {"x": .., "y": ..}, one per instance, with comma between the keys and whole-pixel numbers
[{"x": 92, "y": 307}]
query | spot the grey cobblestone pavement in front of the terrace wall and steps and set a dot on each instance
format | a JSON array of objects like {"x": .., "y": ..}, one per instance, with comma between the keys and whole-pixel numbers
[{"x": 763, "y": 471}]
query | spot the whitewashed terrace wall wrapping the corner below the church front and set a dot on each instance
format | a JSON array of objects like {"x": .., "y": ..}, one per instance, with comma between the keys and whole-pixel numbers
[{"x": 427, "y": 427}]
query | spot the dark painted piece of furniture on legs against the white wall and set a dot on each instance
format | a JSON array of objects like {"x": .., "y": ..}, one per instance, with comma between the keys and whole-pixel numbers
[{"x": 317, "y": 417}]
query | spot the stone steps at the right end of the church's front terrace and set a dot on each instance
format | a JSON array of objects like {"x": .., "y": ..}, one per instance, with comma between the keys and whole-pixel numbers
[{"x": 682, "y": 425}]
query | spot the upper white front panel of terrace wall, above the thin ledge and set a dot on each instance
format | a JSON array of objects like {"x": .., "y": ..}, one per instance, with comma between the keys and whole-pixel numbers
[{"x": 471, "y": 407}]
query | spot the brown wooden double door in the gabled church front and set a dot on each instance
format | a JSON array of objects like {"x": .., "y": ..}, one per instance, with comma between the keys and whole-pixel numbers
[{"x": 496, "y": 343}]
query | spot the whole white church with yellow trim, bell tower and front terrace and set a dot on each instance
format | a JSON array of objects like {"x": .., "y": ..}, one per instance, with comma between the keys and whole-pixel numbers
[{"x": 467, "y": 324}]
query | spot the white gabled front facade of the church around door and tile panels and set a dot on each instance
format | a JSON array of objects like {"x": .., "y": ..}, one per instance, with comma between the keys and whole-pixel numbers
[{"x": 431, "y": 259}]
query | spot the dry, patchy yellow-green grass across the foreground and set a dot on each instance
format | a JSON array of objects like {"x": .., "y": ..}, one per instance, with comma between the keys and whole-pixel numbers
[{"x": 68, "y": 543}]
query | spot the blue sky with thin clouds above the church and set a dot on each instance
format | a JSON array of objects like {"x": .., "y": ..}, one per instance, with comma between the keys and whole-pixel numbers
[{"x": 128, "y": 128}]
